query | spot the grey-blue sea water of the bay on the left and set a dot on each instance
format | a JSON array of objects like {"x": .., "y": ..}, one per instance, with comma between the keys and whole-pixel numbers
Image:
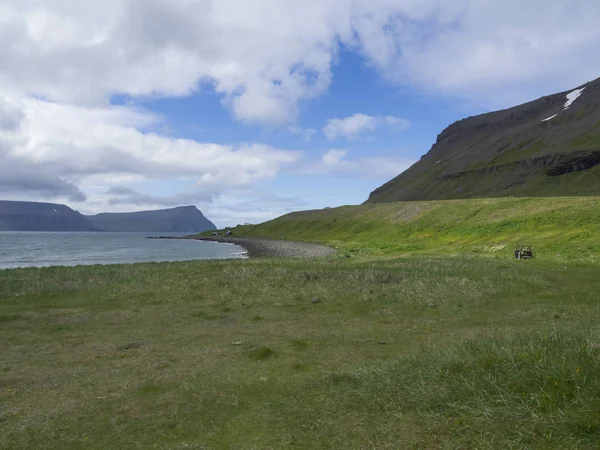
[{"x": 40, "y": 249}]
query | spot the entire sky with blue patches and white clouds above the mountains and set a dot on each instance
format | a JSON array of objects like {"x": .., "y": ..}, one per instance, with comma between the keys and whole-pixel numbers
[{"x": 252, "y": 109}]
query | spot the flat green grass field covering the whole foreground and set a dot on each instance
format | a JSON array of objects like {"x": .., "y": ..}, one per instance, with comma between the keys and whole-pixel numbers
[{"x": 411, "y": 352}]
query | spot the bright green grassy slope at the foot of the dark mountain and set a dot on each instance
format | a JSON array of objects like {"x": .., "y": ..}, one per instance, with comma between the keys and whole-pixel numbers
[{"x": 569, "y": 227}]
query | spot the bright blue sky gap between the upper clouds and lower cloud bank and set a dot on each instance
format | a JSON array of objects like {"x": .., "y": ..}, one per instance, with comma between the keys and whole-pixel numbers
[{"x": 356, "y": 89}]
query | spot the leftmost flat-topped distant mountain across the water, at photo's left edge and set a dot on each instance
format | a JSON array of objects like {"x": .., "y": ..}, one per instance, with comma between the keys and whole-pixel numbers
[{"x": 34, "y": 216}]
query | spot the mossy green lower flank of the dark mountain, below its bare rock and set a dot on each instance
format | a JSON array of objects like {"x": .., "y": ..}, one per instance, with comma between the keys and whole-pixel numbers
[{"x": 527, "y": 180}]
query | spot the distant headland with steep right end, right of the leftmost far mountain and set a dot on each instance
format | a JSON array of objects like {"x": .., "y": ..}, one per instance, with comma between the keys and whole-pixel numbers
[{"x": 182, "y": 218}]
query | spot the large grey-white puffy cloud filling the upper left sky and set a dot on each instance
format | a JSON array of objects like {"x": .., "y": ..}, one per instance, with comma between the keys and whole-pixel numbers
[{"x": 263, "y": 58}]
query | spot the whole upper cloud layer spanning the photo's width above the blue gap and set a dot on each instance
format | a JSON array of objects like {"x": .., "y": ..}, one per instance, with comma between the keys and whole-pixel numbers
[{"x": 265, "y": 57}]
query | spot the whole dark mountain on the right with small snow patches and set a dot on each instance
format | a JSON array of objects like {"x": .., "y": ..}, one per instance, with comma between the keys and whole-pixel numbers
[{"x": 547, "y": 147}]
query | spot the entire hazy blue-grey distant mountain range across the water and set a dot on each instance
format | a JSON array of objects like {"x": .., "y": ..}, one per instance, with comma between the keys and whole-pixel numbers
[{"x": 36, "y": 216}]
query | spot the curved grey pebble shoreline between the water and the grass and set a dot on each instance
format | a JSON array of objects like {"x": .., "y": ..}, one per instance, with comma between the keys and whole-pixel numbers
[{"x": 266, "y": 248}]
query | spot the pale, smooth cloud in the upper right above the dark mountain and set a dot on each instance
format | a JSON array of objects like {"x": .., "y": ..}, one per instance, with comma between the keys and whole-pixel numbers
[{"x": 499, "y": 53}]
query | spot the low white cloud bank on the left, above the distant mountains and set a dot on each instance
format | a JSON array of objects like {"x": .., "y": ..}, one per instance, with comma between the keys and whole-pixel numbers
[{"x": 57, "y": 150}]
